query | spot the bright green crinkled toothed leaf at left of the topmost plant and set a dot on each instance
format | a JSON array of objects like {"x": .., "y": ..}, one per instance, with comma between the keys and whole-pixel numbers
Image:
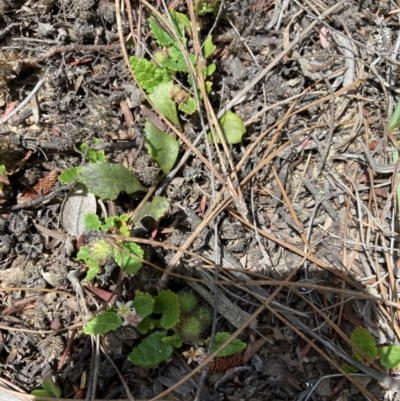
[{"x": 148, "y": 74}]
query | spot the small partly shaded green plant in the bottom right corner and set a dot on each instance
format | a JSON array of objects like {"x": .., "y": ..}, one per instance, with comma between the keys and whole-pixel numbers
[{"x": 389, "y": 356}]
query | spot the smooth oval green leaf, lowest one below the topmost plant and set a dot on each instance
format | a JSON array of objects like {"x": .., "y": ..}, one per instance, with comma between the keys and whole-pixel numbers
[{"x": 162, "y": 148}]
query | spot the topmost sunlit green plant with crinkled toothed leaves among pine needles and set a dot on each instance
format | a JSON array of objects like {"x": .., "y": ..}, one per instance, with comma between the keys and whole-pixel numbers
[{"x": 156, "y": 78}]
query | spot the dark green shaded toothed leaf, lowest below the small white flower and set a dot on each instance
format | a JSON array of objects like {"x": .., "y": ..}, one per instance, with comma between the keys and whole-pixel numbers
[{"x": 151, "y": 351}]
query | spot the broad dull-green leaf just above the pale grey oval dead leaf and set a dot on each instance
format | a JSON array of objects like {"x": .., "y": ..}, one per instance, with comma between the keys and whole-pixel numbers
[{"x": 107, "y": 180}]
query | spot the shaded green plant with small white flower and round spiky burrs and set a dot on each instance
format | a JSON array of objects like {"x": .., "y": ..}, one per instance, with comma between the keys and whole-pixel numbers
[{"x": 160, "y": 320}]
